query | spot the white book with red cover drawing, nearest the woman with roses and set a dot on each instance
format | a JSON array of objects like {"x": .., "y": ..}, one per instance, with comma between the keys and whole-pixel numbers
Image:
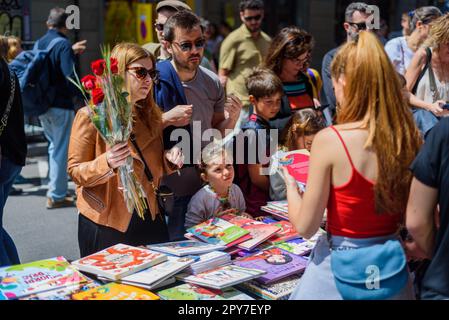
[{"x": 119, "y": 261}]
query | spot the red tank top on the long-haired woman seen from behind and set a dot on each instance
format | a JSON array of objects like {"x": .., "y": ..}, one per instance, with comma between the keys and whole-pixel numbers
[{"x": 351, "y": 208}]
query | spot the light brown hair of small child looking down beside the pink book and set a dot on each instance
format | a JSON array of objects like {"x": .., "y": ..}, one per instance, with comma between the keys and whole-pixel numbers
[{"x": 304, "y": 122}]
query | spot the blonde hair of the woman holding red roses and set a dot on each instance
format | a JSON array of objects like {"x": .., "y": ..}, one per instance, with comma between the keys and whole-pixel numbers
[{"x": 126, "y": 54}]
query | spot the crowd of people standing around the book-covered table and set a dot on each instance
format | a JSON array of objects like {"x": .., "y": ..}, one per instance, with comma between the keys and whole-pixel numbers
[{"x": 374, "y": 120}]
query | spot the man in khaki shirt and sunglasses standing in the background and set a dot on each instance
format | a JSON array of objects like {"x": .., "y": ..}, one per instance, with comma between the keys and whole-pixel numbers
[{"x": 243, "y": 50}]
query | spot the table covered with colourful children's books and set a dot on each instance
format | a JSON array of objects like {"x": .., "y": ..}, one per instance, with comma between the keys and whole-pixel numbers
[{"x": 226, "y": 258}]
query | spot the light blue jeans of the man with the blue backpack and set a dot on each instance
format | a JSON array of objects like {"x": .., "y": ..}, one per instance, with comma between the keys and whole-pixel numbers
[{"x": 57, "y": 124}]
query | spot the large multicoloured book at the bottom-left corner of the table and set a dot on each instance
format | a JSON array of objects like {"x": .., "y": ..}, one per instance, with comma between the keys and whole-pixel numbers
[{"x": 31, "y": 278}]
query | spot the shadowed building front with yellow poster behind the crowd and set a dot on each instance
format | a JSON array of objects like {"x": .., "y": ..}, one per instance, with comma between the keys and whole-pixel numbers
[{"x": 112, "y": 21}]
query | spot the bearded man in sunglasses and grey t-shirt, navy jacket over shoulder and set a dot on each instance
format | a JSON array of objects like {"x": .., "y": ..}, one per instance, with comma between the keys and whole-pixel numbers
[{"x": 185, "y": 85}]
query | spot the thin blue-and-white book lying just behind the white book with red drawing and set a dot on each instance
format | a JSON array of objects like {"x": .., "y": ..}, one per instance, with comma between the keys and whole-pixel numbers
[{"x": 186, "y": 247}]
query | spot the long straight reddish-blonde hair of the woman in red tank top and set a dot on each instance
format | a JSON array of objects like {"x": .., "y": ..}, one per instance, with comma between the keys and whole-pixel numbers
[{"x": 373, "y": 95}]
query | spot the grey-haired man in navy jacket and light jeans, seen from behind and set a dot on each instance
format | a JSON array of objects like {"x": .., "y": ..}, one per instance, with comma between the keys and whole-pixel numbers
[{"x": 57, "y": 121}]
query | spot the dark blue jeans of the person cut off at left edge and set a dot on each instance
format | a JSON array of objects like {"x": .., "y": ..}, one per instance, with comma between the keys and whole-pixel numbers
[{"x": 8, "y": 252}]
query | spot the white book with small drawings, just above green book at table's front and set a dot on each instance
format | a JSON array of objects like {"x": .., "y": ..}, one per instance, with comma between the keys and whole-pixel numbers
[{"x": 222, "y": 277}]
